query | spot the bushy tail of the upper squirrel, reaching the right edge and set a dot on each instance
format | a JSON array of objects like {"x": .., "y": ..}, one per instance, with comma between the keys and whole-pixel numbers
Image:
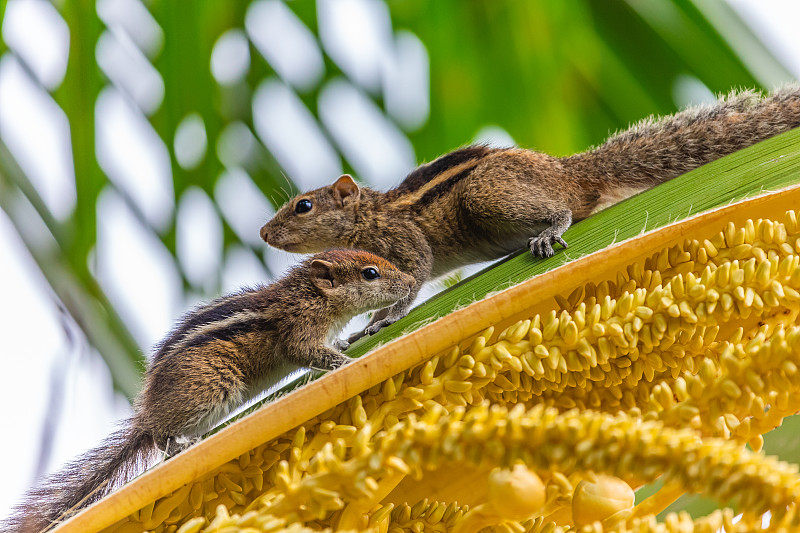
[{"x": 658, "y": 149}]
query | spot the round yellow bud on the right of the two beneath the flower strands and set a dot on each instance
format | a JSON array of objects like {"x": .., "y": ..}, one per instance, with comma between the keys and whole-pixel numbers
[{"x": 598, "y": 501}]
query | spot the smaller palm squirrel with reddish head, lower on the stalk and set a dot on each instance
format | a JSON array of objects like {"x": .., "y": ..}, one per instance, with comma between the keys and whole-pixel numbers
[{"x": 219, "y": 356}]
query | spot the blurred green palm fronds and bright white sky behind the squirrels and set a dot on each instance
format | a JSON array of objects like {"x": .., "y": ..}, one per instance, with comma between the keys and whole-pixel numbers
[{"x": 143, "y": 144}]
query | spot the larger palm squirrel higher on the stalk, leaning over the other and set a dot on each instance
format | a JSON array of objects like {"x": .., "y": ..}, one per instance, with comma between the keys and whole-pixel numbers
[{"x": 480, "y": 203}]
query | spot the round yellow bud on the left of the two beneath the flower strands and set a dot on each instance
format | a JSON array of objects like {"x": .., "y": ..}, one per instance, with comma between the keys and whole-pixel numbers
[{"x": 515, "y": 494}]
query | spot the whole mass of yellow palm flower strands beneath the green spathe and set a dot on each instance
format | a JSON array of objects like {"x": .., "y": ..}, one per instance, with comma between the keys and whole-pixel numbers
[{"x": 663, "y": 371}]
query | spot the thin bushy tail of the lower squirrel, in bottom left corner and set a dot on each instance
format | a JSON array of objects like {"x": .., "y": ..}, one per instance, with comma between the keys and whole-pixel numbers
[{"x": 82, "y": 482}]
